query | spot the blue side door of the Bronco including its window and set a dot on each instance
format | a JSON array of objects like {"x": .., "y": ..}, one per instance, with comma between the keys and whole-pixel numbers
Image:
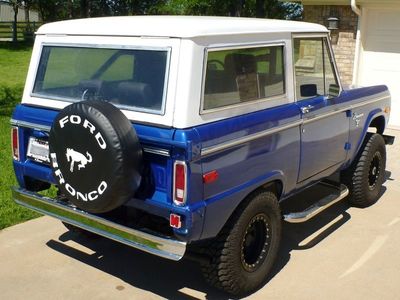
[{"x": 325, "y": 128}]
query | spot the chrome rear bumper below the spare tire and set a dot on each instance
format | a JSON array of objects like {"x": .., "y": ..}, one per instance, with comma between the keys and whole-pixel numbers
[{"x": 160, "y": 246}]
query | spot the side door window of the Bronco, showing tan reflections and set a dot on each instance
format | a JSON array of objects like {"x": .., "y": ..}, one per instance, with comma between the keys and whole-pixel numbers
[{"x": 314, "y": 71}]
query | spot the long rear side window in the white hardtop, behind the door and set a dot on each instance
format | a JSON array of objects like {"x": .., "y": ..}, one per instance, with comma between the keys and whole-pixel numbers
[{"x": 241, "y": 75}]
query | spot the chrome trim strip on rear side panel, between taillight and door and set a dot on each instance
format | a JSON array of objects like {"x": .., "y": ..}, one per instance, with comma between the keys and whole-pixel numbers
[{"x": 248, "y": 138}]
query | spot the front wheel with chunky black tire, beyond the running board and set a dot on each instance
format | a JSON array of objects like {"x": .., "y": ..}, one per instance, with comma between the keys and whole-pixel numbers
[{"x": 365, "y": 176}]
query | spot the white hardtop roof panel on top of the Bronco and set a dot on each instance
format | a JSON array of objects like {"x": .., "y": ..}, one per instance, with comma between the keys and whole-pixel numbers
[{"x": 175, "y": 26}]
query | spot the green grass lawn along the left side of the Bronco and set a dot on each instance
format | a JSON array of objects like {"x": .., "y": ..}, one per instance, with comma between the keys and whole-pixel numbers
[{"x": 14, "y": 62}]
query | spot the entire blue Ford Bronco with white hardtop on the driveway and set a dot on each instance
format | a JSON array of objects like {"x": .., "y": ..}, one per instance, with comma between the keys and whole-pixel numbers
[{"x": 185, "y": 135}]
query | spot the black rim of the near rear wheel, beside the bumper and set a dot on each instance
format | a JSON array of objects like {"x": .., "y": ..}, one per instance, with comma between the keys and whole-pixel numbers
[{"x": 255, "y": 243}]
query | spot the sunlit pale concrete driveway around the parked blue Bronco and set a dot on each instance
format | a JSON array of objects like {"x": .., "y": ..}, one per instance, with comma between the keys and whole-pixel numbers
[{"x": 345, "y": 253}]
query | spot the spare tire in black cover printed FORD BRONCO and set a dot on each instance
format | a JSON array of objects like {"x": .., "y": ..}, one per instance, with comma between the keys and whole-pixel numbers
[{"x": 95, "y": 155}]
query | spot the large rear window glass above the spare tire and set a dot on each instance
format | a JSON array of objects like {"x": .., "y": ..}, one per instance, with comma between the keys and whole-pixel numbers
[{"x": 129, "y": 78}]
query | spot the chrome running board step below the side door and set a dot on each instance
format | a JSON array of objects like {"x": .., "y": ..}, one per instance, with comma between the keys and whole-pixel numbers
[{"x": 318, "y": 207}]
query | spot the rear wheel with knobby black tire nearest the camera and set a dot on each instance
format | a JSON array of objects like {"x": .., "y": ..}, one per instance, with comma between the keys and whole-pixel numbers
[{"x": 233, "y": 270}]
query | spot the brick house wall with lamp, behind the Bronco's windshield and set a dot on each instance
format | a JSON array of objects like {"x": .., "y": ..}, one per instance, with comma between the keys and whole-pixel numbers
[{"x": 343, "y": 39}]
